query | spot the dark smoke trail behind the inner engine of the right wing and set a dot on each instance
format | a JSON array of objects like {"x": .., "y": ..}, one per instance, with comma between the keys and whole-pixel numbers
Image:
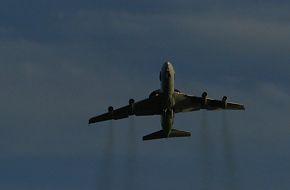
[{"x": 205, "y": 152}]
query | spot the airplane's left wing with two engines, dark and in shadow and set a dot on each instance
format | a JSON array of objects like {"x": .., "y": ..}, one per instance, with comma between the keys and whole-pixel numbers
[{"x": 149, "y": 106}]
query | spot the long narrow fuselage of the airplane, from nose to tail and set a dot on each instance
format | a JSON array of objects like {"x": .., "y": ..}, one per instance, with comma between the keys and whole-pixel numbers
[{"x": 167, "y": 77}]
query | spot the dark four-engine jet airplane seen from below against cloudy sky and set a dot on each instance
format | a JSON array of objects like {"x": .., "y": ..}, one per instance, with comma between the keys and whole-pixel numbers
[{"x": 166, "y": 102}]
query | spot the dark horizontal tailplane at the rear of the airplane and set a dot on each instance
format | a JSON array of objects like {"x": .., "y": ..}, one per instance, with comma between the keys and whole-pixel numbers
[{"x": 160, "y": 134}]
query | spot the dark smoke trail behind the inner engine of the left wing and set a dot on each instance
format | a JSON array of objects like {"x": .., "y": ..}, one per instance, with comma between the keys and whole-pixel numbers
[{"x": 131, "y": 162}]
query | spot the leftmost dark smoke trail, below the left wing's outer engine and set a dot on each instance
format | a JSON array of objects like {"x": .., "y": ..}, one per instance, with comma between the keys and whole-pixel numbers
[{"x": 106, "y": 178}]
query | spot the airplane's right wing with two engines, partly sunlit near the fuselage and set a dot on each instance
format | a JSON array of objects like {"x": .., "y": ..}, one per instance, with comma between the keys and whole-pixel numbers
[{"x": 187, "y": 103}]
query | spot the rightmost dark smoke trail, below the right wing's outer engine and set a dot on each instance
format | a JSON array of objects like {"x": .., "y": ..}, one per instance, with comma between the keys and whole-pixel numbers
[{"x": 229, "y": 154}]
